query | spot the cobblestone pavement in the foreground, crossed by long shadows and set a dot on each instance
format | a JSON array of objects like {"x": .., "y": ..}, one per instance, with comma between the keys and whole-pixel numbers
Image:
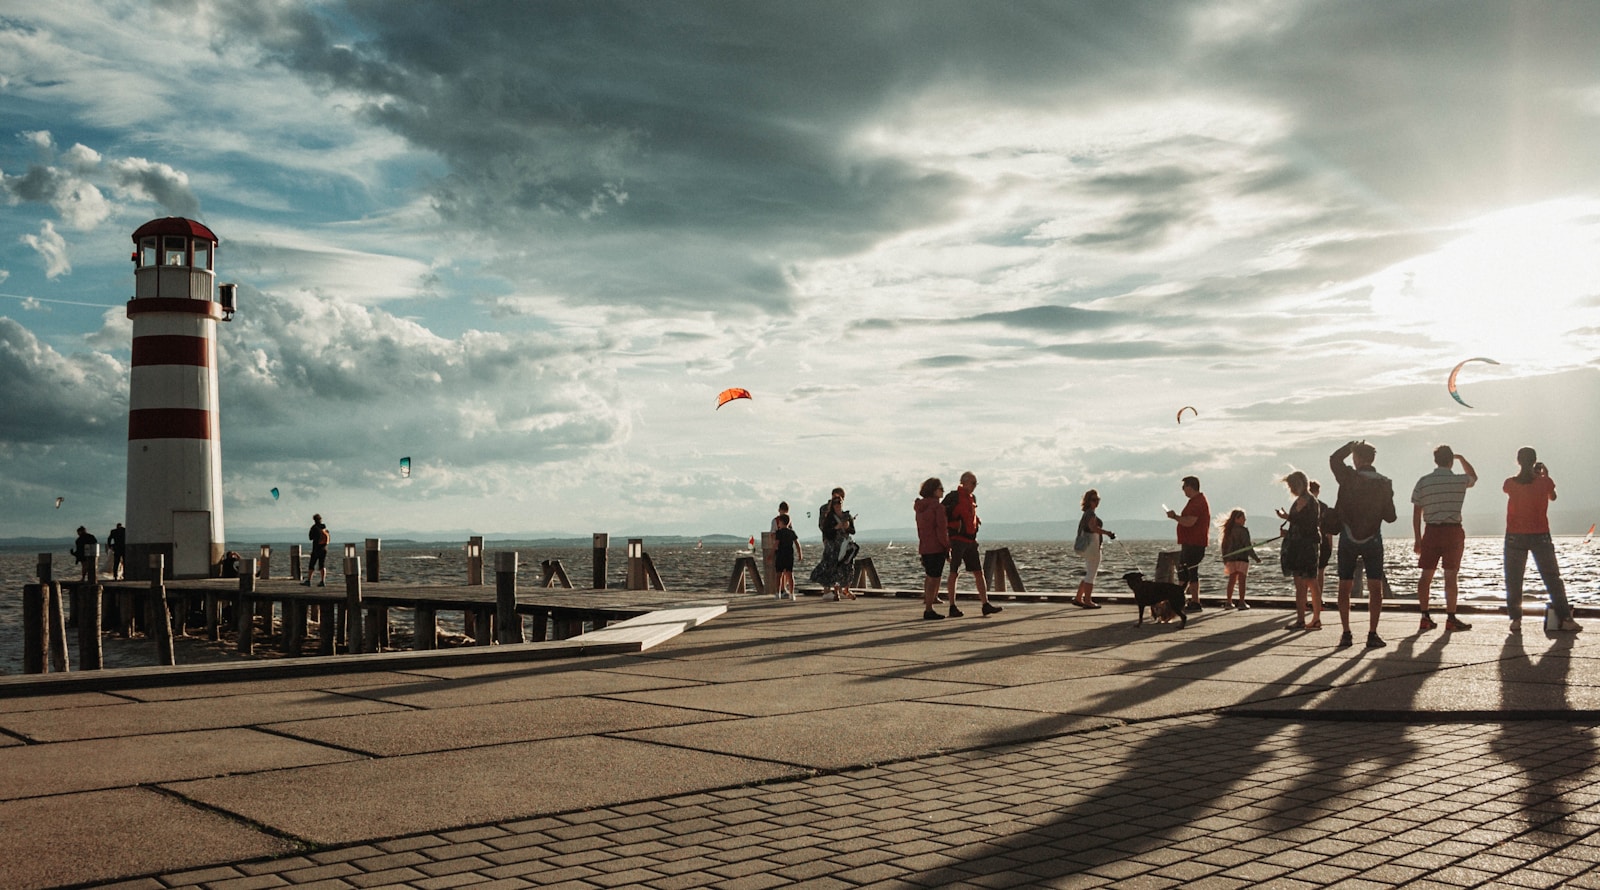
[{"x": 1202, "y": 803}]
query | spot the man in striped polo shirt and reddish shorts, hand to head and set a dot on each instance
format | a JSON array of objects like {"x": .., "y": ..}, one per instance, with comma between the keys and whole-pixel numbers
[{"x": 1436, "y": 524}]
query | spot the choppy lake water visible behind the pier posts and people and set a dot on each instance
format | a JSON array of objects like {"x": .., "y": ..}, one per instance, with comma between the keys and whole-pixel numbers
[{"x": 1044, "y": 566}]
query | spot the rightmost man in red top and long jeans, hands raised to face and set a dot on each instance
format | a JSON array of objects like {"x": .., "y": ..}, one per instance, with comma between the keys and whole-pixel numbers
[{"x": 1529, "y": 532}]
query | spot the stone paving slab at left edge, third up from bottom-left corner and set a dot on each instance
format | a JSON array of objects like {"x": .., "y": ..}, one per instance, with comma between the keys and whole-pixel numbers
[{"x": 140, "y": 718}]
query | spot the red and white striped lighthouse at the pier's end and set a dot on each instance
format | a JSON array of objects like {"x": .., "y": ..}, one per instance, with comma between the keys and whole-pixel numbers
[{"x": 175, "y": 444}]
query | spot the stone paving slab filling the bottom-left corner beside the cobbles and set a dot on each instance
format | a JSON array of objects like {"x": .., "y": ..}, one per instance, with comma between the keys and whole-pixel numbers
[{"x": 106, "y": 835}]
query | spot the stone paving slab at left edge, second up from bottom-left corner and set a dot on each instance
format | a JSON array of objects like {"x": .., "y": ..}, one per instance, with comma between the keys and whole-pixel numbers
[{"x": 148, "y": 760}]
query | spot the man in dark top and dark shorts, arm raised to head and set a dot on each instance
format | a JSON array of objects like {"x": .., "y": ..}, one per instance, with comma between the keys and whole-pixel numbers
[{"x": 1367, "y": 502}]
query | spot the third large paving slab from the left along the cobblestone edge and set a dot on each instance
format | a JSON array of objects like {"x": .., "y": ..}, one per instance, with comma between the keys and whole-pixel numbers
[{"x": 868, "y": 734}]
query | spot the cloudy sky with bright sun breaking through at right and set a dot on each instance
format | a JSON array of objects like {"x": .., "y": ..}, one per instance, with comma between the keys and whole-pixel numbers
[{"x": 527, "y": 244}]
